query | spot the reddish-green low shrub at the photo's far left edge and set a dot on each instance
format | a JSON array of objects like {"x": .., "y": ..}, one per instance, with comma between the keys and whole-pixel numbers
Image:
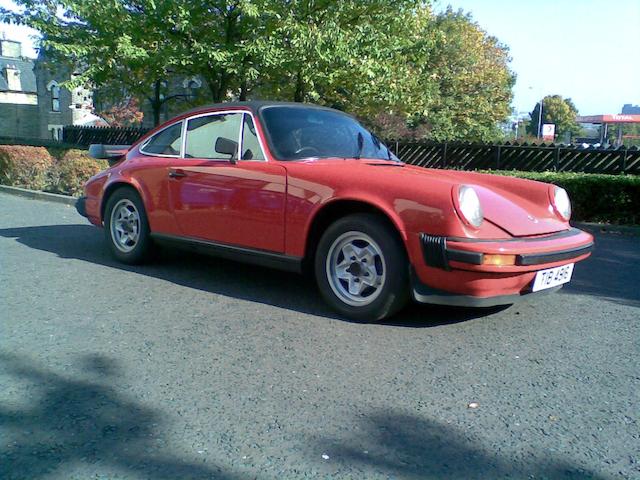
[{"x": 25, "y": 166}]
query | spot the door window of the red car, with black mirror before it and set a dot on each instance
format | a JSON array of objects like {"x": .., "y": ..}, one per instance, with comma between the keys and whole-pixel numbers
[{"x": 213, "y": 136}]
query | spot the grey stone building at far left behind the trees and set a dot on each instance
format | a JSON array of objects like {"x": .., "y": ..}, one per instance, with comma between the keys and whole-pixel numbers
[{"x": 33, "y": 102}]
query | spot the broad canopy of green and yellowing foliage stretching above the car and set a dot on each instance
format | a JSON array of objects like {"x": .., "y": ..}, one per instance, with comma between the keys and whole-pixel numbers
[{"x": 439, "y": 75}]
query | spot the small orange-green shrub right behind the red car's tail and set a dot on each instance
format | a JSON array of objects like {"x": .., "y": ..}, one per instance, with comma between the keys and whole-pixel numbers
[{"x": 71, "y": 170}]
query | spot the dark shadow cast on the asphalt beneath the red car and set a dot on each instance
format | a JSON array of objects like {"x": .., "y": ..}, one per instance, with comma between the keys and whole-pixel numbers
[{"x": 225, "y": 277}]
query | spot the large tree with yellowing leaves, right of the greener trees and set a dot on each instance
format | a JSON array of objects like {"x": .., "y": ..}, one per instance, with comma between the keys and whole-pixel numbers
[{"x": 457, "y": 80}]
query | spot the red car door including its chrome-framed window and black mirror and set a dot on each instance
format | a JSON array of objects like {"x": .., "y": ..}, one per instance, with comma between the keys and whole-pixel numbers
[{"x": 222, "y": 189}]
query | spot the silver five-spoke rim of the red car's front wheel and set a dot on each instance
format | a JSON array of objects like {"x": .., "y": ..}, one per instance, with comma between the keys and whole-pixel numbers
[{"x": 356, "y": 268}]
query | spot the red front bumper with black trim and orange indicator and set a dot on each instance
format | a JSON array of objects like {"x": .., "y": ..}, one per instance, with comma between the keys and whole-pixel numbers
[{"x": 459, "y": 271}]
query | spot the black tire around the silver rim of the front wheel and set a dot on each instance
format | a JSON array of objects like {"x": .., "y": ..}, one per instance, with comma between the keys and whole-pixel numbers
[{"x": 393, "y": 289}]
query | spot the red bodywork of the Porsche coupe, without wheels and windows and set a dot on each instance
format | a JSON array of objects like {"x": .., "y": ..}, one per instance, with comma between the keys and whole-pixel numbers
[{"x": 274, "y": 210}]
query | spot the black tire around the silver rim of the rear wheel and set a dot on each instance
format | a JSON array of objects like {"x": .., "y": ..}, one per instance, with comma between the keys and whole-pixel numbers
[{"x": 132, "y": 252}]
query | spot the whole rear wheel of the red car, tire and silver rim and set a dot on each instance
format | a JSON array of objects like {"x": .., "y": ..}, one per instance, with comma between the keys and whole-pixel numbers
[{"x": 126, "y": 227}]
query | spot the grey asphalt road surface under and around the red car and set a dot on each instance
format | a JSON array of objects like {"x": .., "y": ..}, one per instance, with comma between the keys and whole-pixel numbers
[{"x": 199, "y": 368}]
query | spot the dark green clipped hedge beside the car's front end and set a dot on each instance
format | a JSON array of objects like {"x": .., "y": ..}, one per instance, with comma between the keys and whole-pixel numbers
[{"x": 594, "y": 197}]
